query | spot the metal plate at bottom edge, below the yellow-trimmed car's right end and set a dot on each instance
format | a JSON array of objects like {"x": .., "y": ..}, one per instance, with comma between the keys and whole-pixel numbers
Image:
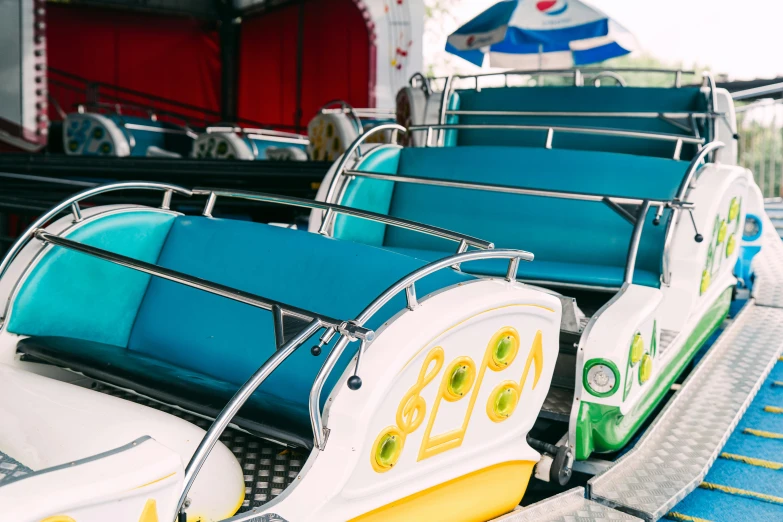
[{"x": 570, "y": 506}]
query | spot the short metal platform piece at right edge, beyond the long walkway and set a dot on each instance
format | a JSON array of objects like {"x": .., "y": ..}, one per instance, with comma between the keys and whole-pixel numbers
[{"x": 768, "y": 269}]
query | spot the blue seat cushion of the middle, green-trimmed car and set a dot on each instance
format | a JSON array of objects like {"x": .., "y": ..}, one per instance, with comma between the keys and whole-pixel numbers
[{"x": 550, "y": 271}]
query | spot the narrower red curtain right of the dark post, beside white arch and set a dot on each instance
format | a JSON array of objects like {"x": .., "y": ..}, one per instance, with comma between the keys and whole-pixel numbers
[{"x": 336, "y": 61}]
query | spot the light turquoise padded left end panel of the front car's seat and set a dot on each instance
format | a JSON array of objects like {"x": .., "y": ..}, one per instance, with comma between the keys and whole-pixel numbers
[{"x": 73, "y": 295}]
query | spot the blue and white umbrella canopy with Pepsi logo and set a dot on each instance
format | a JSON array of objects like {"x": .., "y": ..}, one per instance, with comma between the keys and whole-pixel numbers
[{"x": 545, "y": 34}]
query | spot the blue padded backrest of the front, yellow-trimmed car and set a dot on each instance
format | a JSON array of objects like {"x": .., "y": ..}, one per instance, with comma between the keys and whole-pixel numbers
[{"x": 227, "y": 341}]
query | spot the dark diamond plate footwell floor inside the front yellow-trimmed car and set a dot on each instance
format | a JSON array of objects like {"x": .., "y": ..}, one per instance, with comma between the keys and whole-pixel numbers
[{"x": 268, "y": 467}]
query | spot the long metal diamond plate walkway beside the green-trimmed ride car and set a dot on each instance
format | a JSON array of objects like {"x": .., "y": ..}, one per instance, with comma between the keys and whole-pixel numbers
[{"x": 679, "y": 447}]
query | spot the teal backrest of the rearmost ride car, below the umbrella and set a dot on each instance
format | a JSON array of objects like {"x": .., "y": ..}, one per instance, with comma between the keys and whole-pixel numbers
[{"x": 580, "y": 99}]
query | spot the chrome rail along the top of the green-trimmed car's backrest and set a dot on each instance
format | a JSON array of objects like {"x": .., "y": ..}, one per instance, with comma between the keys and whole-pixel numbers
[{"x": 679, "y": 140}]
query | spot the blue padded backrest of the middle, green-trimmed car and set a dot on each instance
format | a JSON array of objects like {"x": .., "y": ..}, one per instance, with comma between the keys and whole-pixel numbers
[{"x": 558, "y": 230}]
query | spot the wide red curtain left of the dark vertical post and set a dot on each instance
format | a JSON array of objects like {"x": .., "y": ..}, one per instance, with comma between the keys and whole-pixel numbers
[{"x": 177, "y": 58}]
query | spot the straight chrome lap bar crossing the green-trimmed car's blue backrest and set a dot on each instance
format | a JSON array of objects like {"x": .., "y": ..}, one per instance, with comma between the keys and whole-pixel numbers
[{"x": 509, "y": 189}]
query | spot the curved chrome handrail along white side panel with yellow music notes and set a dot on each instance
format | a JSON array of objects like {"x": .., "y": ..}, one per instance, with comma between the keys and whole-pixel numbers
[{"x": 407, "y": 284}]
